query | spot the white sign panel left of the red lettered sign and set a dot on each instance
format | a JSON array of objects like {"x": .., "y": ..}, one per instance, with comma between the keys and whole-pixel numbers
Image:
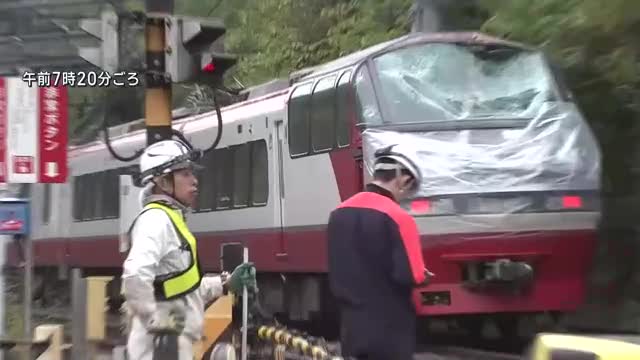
[{"x": 22, "y": 130}]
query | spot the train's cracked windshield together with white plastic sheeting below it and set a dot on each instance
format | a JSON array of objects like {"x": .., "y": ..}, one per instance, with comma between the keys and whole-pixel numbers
[{"x": 443, "y": 84}]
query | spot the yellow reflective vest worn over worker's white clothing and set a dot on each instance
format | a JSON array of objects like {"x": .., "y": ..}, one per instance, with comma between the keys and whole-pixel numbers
[{"x": 179, "y": 283}]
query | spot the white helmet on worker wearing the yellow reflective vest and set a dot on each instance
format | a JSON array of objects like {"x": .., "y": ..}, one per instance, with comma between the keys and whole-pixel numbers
[{"x": 164, "y": 157}]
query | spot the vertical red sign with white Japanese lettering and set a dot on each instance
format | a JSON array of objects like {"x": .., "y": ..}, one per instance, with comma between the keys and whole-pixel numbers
[{"x": 53, "y": 135}]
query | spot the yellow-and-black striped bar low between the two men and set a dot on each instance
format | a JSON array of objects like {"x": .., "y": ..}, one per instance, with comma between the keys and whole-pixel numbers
[{"x": 284, "y": 338}]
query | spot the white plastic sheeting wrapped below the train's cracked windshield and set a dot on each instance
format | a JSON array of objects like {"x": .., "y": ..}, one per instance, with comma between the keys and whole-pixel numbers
[{"x": 556, "y": 150}]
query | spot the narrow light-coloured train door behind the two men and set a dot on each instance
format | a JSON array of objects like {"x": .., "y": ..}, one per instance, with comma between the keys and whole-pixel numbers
[{"x": 279, "y": 171}]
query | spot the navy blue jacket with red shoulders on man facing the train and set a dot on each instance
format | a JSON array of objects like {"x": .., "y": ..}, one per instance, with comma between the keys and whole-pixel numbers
[{"x": 375, "y": 261}]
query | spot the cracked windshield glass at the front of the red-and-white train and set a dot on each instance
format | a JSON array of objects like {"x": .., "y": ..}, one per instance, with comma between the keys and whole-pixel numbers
[{"x": 440, "y": 82}]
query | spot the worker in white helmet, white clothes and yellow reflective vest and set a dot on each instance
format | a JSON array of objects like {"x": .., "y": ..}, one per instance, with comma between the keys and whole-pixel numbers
[{"x": 162, "y": 280}]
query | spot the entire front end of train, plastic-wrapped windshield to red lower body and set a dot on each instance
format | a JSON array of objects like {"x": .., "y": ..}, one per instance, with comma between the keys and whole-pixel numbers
[{"x": 509, "y": 202}]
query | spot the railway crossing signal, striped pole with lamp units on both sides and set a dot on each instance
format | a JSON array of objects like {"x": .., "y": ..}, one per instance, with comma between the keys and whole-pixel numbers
[{"x": 178, "y": 49}]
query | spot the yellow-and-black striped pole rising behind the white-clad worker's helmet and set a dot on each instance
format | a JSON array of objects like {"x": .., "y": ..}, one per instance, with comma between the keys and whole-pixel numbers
[{"x": 157, "y": 99}]
